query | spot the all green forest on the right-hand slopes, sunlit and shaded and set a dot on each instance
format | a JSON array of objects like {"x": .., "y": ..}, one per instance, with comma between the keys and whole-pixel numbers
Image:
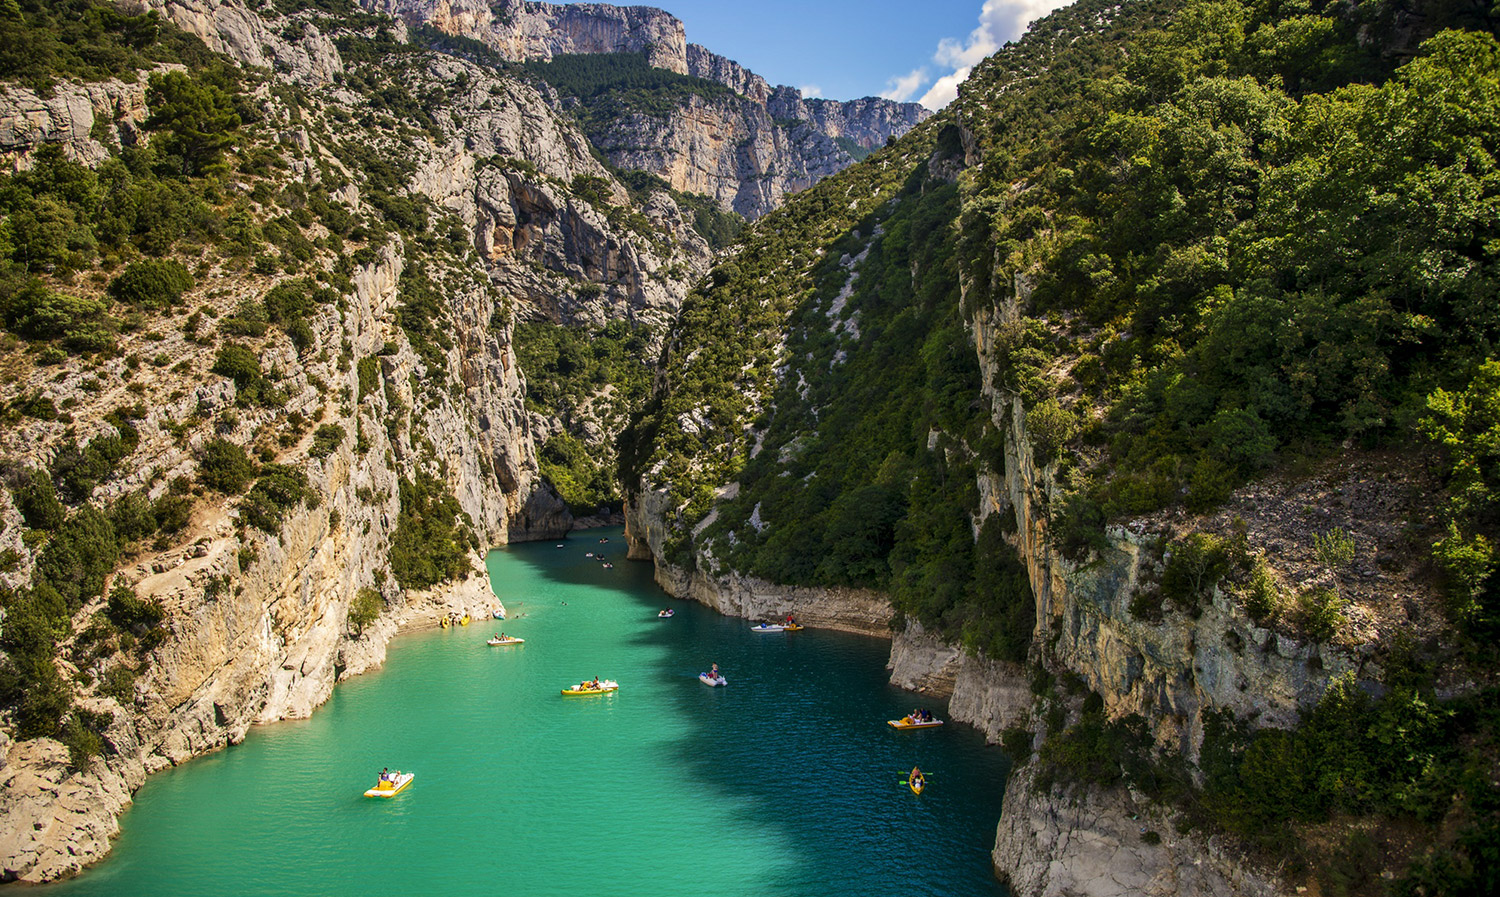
[{"x": 1213, "y": 242}]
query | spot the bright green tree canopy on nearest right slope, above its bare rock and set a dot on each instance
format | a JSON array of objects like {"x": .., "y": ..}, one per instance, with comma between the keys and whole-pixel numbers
[{"x": 1223, "y": 271}]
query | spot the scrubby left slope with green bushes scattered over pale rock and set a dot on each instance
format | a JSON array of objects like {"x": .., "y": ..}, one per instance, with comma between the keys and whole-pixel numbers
[{"x": 209, "y": 248}]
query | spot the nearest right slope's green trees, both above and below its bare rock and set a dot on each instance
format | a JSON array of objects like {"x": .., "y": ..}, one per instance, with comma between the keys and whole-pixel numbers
[{"x": 1261, "y": 232}]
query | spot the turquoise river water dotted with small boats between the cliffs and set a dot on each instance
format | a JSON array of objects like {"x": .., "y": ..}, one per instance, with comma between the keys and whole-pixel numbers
[{"x": 785, "y": 782}]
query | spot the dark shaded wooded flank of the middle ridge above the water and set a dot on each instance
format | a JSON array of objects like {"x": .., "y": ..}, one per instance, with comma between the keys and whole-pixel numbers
[{"x": 866, "y": 461}]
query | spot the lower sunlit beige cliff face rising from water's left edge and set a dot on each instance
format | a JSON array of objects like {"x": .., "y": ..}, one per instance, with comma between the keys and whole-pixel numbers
[{"x": 274, "y": 644}]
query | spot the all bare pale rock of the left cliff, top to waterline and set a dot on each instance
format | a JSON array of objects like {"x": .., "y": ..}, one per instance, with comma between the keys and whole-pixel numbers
[{"x": 257, "y": 623}]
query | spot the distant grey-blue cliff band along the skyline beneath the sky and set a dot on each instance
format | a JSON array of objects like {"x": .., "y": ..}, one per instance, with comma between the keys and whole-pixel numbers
[{"x": 746, "y": 152}]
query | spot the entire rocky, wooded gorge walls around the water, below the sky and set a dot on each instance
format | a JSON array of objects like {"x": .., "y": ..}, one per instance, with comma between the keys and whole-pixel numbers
[{"x": 1144, "y": 397}]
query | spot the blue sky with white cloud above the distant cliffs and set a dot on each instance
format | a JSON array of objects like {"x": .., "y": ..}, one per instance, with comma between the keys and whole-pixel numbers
[{"x": 907, "y": 50}]
